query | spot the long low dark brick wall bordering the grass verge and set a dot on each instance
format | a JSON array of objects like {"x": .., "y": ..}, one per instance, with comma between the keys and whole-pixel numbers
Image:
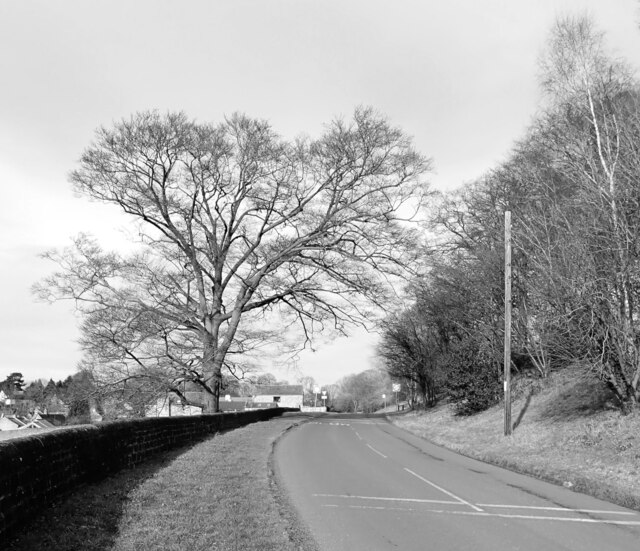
[{"x": 36, "y": 470}]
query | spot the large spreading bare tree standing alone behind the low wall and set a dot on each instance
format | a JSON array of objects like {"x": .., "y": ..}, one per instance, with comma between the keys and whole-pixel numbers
[{"x": 237, "y": 226}]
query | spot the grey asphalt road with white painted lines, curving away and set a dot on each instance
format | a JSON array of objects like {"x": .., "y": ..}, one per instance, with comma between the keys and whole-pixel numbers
[{"x": 365, "y": 484}]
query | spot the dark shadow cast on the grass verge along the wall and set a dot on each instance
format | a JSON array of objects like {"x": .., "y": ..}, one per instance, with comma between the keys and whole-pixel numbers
[{"x": 88, "y": 519}]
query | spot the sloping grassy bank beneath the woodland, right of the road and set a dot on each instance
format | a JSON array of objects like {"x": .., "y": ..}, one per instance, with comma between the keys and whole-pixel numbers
[{"x": 567, "y": 432}]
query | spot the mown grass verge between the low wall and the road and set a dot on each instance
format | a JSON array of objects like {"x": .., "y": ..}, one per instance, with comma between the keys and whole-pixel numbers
[{"x": 217, "y": 495}]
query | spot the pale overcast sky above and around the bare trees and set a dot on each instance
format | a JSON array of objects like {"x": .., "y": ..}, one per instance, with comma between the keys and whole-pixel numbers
[{"x": 458, "y": 75}]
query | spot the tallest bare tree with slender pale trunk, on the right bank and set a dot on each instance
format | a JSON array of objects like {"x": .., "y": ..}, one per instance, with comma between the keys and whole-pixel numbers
[{"x": 591, "y": 132}]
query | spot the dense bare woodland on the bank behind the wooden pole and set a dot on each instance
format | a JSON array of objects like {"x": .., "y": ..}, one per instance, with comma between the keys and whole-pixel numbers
[{"x": 572, "y": 186}]
